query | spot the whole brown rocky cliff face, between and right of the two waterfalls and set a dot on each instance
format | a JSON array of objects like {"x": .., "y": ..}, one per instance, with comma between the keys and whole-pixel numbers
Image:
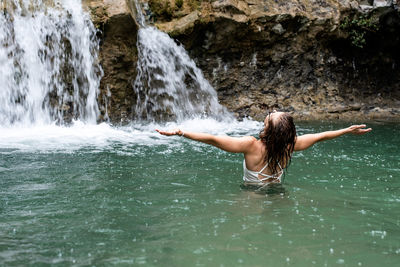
[{"x": 335, "y": 59}]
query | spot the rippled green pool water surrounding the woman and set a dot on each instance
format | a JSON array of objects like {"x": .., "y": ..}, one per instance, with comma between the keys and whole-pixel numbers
[{"x": 179, "y": 203}]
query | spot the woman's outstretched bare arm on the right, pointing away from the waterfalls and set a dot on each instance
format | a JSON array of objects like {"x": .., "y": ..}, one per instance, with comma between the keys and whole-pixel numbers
[{"x": 307, "y": 140}]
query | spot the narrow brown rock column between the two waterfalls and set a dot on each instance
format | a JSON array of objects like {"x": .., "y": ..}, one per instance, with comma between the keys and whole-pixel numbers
[{"x": 118, "y": 57}]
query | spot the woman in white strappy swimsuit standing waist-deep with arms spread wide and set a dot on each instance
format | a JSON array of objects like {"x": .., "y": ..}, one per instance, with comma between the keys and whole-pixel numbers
[{"x": 267, "y": 157}]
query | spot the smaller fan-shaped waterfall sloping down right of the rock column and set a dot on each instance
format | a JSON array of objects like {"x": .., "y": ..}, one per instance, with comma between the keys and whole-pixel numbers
[{"x": 168, "y": 85}]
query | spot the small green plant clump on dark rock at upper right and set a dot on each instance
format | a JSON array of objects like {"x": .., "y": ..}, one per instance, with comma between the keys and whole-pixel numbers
[{"x": 358, "y": 27}]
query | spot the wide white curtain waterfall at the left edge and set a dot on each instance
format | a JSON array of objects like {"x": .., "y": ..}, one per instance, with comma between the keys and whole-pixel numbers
[{"x": 49, "y": 70}]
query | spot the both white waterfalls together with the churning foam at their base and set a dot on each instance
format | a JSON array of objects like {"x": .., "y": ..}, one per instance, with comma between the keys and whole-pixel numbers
[{"x": 50, "y": 75}]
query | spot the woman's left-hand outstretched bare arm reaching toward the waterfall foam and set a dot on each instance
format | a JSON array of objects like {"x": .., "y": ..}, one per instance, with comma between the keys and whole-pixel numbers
[{"x": 227, "y": 143}]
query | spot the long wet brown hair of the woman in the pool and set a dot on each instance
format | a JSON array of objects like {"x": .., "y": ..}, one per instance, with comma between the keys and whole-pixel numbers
[{"x": 279, "y": 137}]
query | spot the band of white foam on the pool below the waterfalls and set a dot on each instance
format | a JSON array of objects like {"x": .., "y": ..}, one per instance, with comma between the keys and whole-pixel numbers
[{"x": 54, "y": 138}]
